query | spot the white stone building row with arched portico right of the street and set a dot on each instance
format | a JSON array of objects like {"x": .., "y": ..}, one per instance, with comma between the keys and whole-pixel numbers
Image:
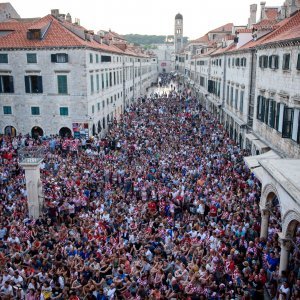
[{"x": 250, "y": 80}]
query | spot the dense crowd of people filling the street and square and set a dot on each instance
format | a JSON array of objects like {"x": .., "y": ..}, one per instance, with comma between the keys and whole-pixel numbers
[{"x": 163, "y": 208}]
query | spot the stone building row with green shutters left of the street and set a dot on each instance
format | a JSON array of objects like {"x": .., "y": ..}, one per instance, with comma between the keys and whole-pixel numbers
[{"x": 58, "y": 77}]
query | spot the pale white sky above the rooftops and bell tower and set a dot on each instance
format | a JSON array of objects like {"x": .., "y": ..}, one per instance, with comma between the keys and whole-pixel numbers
[{"x": 146, "y": 17}]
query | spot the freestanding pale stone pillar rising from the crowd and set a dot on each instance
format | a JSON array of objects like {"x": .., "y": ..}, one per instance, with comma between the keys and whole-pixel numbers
[{"x": 33, "y": 187}]
